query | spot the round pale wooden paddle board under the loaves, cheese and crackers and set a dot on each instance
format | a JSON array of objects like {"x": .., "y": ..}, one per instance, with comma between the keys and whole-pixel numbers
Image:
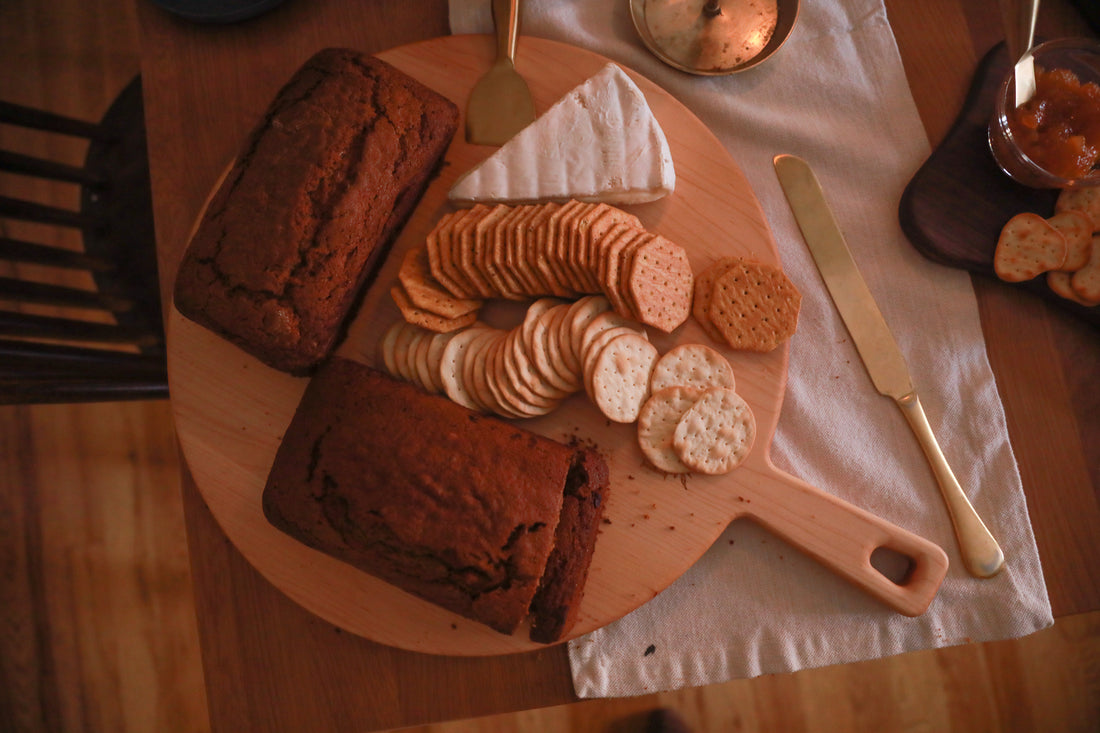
[{"x": 232, "y": 411}]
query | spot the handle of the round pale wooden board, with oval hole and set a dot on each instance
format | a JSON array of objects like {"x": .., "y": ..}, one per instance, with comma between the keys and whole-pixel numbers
[{"x": 843, "y": 538}]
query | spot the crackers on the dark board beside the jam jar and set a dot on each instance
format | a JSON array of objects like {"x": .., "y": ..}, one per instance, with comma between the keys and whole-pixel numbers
[{"x": 1063, "y": 246}]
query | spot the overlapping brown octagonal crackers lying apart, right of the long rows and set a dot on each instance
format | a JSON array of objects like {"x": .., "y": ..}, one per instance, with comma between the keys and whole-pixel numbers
[{"x": 745, "y": 304}]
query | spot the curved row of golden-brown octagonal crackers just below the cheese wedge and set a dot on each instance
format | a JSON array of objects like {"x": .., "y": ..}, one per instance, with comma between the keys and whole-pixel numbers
[{"x": 560, "y": 250}]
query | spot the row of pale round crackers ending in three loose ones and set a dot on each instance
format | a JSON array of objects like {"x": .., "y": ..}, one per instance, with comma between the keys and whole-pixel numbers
[{"x": 689, "y": 415}]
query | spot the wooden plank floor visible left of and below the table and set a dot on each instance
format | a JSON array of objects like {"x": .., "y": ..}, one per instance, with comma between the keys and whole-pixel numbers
[{"x": 98, "y": 629}]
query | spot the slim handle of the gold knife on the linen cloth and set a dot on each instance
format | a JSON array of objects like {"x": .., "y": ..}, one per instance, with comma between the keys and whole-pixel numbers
[{"x": 982, "y": 555}]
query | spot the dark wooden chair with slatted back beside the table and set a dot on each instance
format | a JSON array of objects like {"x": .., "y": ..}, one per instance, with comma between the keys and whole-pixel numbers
[{"x": 101, "y": 343}]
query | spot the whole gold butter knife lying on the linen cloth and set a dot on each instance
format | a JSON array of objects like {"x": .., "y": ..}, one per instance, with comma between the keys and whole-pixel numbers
[{"x": 879, "y": 352}]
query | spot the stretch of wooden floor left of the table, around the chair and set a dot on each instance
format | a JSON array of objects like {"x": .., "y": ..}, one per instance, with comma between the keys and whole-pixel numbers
[{"x": 96, "y": 608}]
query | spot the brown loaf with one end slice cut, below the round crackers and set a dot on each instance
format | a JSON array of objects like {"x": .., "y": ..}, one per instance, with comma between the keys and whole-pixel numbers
[{"x": 445, "y": 504}]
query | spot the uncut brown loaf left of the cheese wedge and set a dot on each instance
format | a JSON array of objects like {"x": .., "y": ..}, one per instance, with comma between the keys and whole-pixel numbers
[{"x": 323, "y": 185}]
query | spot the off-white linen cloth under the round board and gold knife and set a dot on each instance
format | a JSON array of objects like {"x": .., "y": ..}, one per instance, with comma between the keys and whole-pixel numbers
[{"x": 835, "y": 94}]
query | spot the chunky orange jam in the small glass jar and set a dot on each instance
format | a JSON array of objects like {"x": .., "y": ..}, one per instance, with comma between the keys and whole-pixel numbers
[{"x": 1060, "y": 127}]
